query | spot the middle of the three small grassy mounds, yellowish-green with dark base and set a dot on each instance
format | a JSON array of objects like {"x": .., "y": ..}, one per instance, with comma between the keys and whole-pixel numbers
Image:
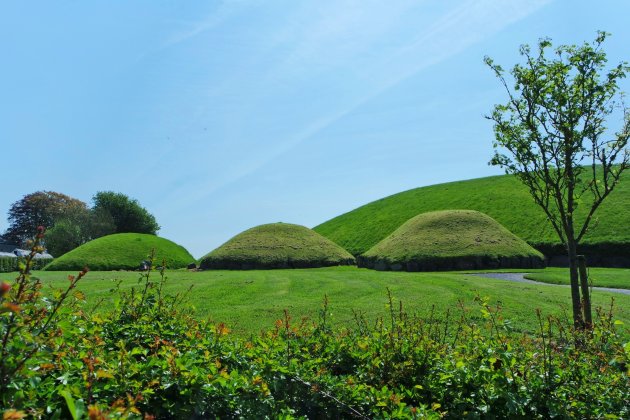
[{"x": 276, "y": 245}]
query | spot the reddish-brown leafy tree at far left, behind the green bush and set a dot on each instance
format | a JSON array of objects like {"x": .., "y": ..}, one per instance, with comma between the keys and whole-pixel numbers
[{"x": 41, "y": 208}]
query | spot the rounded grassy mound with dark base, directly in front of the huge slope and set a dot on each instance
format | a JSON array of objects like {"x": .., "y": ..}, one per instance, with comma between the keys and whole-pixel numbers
[{"x": 451, "y": 240}]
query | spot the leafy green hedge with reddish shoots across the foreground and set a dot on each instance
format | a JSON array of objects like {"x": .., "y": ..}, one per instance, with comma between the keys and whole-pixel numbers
[{"x": 149, "y": 356}]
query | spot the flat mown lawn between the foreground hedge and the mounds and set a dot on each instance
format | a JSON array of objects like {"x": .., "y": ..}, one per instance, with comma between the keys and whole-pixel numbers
[{"x": 249, "y": 301}]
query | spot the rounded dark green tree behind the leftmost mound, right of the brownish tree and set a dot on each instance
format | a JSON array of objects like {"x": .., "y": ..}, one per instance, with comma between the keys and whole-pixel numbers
[{"x": 126, "y": 213}]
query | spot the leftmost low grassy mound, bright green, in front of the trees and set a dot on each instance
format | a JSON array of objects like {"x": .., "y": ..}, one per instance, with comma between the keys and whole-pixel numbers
[{"x": 122, "y": 251}]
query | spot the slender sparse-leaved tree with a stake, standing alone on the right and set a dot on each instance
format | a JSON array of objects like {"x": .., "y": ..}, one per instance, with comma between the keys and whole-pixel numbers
[{"x": 552, "y": 135}]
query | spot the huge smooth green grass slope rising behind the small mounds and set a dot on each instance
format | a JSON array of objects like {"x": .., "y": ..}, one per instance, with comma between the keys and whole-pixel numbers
[{"x": 503, "y": 198}]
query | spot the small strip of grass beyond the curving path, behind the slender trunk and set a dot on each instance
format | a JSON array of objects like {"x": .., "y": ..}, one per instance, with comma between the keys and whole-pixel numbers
[{"x": 618, "y": 278}]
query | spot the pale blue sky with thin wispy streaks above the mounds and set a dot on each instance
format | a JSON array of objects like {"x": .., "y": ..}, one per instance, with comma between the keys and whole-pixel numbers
[{"x": 222, "y": 115}]
